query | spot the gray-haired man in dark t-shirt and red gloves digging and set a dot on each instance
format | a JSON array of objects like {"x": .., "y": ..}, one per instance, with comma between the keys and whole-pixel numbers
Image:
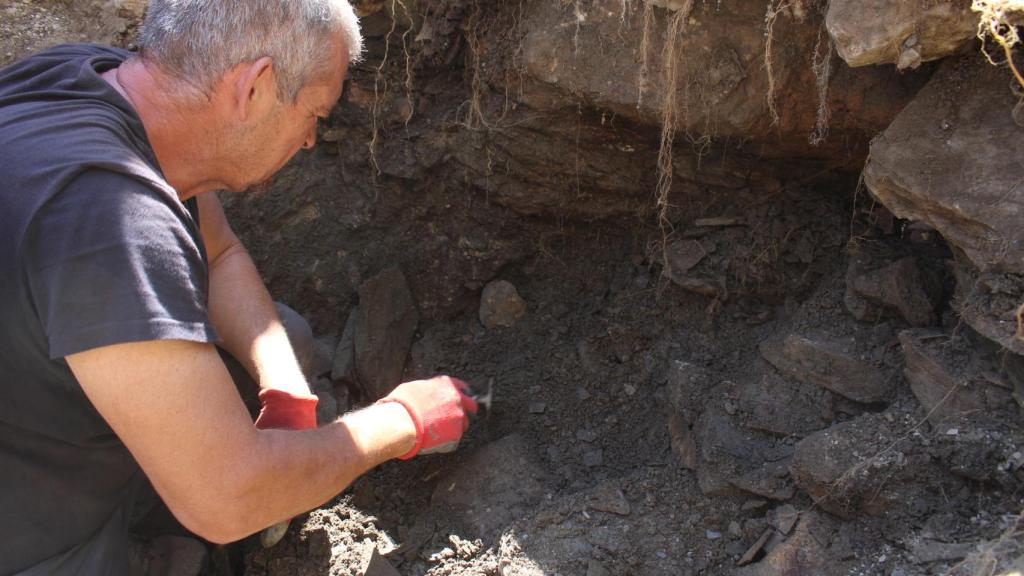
[{"x": 118, "y": 273}]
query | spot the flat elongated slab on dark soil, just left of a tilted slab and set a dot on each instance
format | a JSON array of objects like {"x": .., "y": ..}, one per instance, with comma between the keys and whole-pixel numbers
[{"x": 827, "y": 365}]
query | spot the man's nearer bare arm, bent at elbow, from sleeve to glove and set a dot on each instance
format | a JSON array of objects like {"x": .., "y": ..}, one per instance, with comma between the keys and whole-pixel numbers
[{"x": 174, "y": 405}]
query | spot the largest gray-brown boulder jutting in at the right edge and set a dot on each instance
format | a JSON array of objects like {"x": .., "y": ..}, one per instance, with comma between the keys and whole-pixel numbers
[{"x": 952, "y": 159}]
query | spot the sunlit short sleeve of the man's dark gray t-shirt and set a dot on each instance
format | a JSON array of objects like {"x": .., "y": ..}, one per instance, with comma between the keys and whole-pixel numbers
[{"x": 112, "y": 261}]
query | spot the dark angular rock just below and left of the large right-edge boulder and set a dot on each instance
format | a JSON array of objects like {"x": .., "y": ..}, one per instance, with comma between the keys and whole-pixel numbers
[{"x": 902, "y": 287}]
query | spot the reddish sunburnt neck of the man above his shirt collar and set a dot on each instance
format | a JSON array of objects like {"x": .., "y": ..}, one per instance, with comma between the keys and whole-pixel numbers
[{"x": 184, "y": 134}]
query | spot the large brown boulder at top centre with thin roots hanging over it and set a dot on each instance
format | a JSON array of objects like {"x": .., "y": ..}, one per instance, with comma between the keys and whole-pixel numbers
[{"x": 720, "y": 62}]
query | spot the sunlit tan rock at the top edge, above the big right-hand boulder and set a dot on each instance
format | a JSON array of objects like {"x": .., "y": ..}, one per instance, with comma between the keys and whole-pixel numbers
[{"x": 870, "y": 32}]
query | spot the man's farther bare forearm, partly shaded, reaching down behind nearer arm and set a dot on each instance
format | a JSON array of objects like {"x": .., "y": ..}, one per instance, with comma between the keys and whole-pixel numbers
[{"x": 241, "y": 308}]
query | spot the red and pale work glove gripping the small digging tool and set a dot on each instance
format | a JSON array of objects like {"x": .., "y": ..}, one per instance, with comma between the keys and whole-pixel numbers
[{"x": 439, "y": 408}]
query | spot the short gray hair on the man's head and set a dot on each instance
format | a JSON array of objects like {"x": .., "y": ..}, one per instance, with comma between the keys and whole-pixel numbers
[{"x": 197, "y": 42}]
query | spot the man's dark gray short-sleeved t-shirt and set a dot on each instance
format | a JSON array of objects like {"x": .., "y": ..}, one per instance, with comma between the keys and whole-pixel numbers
[{"x": 96, "y": 250}]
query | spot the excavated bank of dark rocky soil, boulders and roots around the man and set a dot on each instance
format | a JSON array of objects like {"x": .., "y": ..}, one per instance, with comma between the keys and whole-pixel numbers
[{"x": 781, "y": 337}]
